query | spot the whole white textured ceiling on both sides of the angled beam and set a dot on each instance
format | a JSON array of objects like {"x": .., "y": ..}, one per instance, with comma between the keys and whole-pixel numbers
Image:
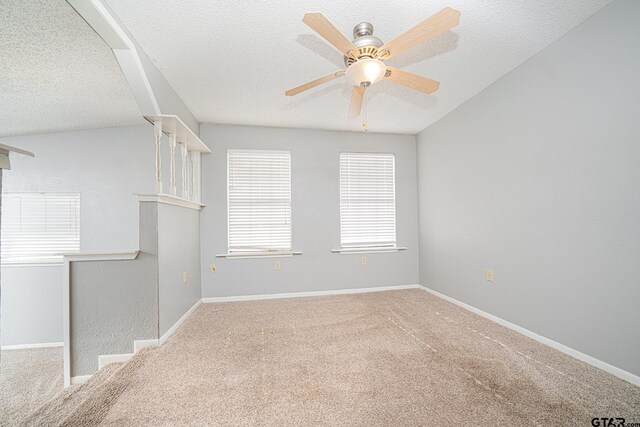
[{"x": 231, "y": 61}]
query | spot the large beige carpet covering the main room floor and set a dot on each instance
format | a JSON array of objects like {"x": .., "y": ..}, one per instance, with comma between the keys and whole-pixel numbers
[{"x": 385, "y": 358}]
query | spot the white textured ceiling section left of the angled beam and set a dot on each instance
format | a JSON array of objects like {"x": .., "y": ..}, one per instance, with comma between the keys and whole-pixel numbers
[{"x": 56, "y": 73}]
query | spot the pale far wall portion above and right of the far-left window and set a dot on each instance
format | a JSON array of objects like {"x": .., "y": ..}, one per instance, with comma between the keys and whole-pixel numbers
[{"x": 104, "y": 165}]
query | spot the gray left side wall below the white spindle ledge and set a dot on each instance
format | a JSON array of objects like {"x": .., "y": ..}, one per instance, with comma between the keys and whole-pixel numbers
[{"x": 178, "y": 252}]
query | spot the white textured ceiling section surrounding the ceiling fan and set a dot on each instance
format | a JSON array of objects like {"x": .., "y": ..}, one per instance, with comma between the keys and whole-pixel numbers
[{"x": 231, "y": 61}]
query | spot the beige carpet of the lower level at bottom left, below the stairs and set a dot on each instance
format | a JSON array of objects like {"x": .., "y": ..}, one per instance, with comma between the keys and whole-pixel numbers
[{"x": 28, "y": 379}]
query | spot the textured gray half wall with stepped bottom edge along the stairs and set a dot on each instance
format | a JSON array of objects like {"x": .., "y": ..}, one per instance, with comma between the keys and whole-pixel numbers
[{"x": 114, "y": 303}]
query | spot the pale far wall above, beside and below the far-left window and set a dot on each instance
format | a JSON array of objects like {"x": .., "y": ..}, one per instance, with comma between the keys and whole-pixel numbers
[{"x": 105, "y": 166}]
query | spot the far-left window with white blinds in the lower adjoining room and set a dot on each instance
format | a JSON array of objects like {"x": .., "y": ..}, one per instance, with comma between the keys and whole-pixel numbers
[{"x": 38, "y": 227}]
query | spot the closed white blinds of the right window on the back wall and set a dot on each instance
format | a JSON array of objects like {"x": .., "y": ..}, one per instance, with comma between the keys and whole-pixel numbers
[{"x": 367, "y": 200}]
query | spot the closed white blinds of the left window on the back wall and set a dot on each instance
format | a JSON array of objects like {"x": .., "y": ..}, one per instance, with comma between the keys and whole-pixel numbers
[{"x": 259, "y": 201}]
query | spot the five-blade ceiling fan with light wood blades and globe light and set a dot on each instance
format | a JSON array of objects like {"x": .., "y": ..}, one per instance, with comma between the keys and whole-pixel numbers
[{"x": 364, "y": 56}]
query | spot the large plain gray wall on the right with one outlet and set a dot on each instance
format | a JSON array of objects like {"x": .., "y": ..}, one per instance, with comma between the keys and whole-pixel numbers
[{"x": 538, "y": 177}]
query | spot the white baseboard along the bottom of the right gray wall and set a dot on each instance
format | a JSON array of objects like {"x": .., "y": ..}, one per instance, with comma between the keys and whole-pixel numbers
[{"x": 620, "y": 373}]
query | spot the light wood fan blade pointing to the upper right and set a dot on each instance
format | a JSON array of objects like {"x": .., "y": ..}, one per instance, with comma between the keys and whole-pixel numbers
[{"x": 442, "y": 21}]
